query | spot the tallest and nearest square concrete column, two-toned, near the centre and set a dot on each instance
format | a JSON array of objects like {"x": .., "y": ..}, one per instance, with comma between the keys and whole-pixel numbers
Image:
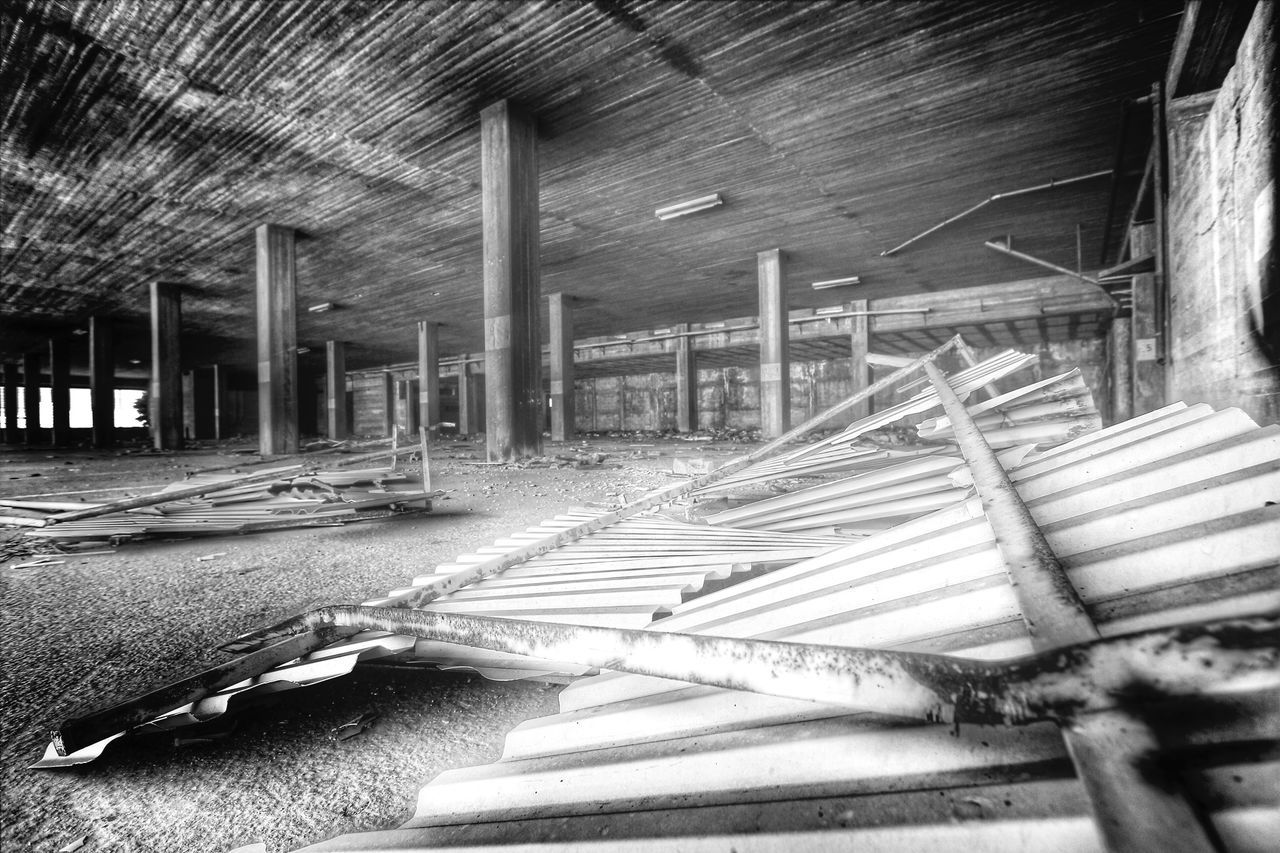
[{"x": 514, "y": 385}]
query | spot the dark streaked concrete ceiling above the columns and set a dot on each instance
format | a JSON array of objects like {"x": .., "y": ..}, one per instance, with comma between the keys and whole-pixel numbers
[{"x": 145, "y": 140}]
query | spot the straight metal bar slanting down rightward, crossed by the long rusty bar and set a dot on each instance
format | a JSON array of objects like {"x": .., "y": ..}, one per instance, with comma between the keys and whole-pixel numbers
[{"x": 1136, "y": 805}]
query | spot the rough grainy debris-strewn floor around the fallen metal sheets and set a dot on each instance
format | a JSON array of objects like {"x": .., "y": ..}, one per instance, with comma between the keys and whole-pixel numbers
[{"x": 100, "y": 628}]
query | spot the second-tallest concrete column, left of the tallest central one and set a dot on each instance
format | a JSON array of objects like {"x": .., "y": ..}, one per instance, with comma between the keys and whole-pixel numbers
[{"x": 277, "y": 341}]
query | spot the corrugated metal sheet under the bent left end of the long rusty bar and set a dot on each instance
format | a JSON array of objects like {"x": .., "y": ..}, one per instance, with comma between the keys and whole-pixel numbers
[{"x": 623, "y": 577}]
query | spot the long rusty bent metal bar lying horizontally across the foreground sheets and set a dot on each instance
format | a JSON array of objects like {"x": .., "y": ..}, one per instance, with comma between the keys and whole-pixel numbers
[{"x": 1059, "y": 686}]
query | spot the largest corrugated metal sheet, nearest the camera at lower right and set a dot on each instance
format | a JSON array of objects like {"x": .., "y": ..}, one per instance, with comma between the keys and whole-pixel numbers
[{"x": 1163, "y": 521}]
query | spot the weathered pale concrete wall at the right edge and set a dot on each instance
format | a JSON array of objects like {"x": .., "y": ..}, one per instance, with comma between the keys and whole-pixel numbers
[{"x": 1226, "y": 331}]
